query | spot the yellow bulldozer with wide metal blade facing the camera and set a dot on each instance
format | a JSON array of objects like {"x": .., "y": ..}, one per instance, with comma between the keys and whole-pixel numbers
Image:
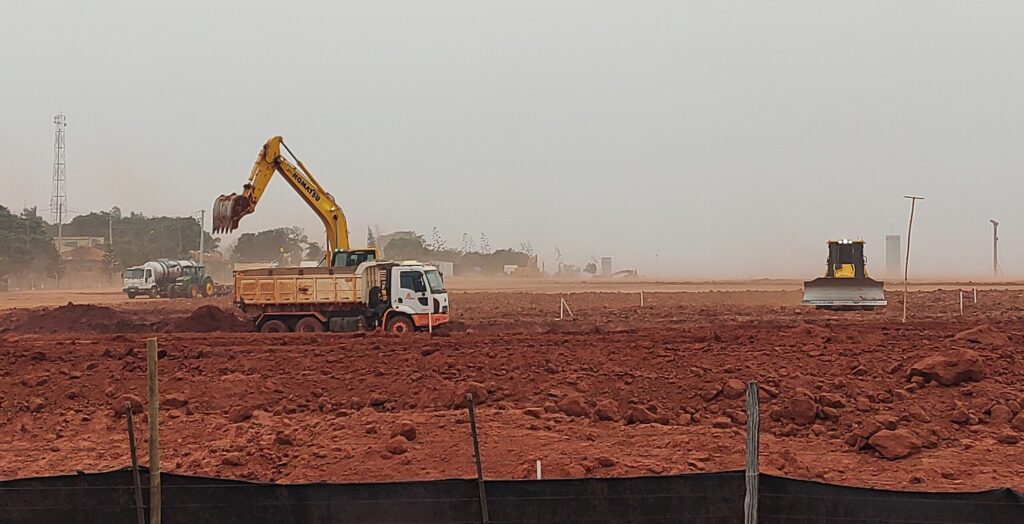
[{"x": 846, "y": 285}]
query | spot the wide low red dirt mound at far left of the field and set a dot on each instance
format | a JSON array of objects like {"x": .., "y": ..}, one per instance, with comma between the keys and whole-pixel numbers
[{"x": 79, "y": 319}]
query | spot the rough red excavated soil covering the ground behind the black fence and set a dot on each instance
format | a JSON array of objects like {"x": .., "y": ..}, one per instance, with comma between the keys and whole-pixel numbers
[{"x": 857, "y": 399}]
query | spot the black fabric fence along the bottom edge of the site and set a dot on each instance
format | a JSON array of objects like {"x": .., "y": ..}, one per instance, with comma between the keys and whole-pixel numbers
[{"x": 710, "y": 498}]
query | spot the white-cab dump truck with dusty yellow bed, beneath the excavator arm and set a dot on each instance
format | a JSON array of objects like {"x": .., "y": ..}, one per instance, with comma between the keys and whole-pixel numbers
[{"x": 396, "y": 297}]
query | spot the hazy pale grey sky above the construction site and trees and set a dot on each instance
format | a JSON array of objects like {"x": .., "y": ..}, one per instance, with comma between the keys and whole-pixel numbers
[{"x": 732, "y": 139}]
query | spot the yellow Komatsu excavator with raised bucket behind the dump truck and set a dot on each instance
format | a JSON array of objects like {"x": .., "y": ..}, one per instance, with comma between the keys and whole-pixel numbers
[{"x": 229, "y": 209}]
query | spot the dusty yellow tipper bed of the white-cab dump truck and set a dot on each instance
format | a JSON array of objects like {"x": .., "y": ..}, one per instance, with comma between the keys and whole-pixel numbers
[{"x": 304, "y": 286}]
